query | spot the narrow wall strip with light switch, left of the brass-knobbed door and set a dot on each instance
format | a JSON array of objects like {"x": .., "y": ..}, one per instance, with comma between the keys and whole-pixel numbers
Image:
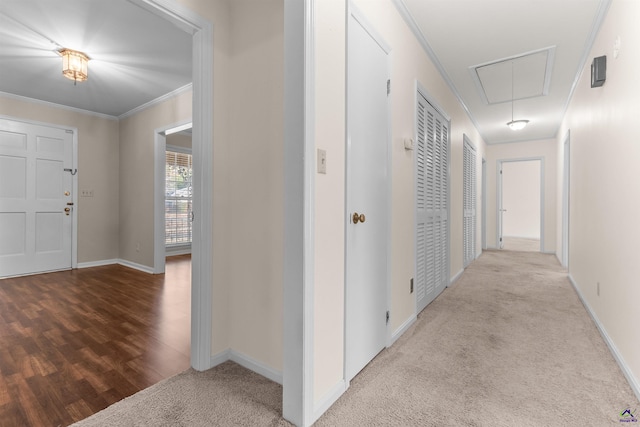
[{"x": 329, "y": 248}]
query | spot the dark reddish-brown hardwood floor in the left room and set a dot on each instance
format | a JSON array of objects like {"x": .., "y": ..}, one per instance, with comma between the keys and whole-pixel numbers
[{"x": 74, "y": 342}]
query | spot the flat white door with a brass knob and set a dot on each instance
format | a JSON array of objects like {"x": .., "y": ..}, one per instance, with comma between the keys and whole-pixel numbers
[{"x": 367, "y": 204}]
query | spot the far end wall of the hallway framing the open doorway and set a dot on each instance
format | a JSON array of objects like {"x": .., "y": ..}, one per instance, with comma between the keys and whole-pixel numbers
[{"x": 545, "y": 149}]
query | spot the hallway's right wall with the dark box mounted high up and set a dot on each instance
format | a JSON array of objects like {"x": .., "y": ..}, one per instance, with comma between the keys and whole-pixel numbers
[{"x": 605, "y": 154}]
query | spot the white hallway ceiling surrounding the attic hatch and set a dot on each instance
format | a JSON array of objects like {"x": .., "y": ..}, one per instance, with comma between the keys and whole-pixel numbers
[{"x": 466, "y": 33}]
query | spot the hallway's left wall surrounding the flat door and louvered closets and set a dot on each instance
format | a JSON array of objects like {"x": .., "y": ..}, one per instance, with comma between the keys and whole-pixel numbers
[{"x": 409, "y": 63}]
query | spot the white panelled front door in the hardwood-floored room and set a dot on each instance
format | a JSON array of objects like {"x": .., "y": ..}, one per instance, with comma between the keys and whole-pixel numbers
[{"x": 36, "y": 198}]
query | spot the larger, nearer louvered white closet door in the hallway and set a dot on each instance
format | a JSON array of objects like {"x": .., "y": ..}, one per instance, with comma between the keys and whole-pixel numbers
[{"x": 432, "y": 164}]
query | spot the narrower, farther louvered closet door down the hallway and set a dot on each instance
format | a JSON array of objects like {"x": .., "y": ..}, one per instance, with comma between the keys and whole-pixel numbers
[{"x": 469, "y": 202}]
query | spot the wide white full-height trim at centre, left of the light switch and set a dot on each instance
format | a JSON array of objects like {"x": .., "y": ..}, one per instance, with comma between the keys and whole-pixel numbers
[{"x": 299, "y": 235}]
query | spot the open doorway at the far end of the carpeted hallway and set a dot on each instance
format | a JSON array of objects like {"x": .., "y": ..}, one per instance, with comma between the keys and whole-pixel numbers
[{"x": 521, "y": 205}]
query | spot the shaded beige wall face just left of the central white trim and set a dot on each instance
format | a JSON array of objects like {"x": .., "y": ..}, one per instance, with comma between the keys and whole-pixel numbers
[{"x": 255, "y": 180}]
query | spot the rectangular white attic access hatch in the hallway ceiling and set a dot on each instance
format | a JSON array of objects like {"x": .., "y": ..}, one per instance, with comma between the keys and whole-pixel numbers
[{"x": 531, "y": 74}]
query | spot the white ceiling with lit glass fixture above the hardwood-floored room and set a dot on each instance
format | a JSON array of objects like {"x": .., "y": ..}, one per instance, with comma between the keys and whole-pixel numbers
[{"x": 136, "y": 56}]
